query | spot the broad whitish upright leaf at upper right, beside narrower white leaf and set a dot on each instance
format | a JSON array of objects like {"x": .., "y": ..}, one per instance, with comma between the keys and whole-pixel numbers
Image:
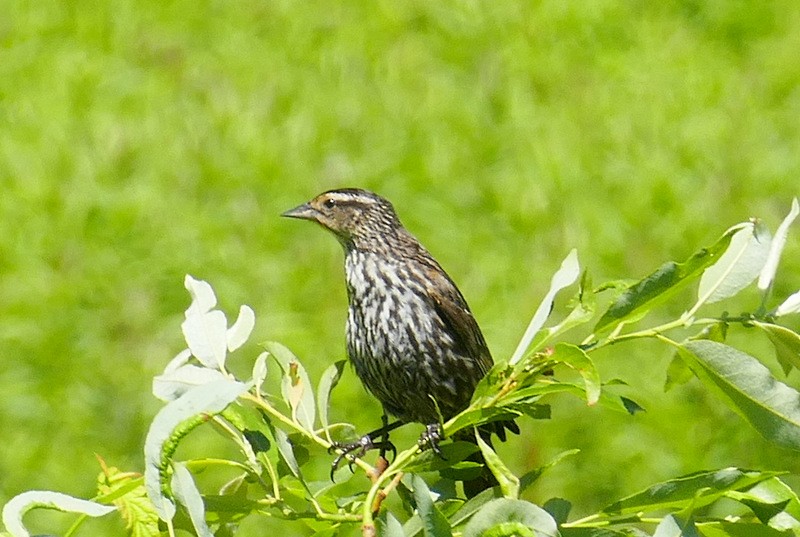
[{"x": 738, "y": 266}]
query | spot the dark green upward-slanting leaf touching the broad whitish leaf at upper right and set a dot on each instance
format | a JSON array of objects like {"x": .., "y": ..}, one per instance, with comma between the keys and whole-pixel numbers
[{"x": 659, "y": 286}]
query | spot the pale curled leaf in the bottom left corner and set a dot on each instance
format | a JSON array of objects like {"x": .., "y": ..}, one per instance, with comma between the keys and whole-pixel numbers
[{"x": 15, "y": 509}]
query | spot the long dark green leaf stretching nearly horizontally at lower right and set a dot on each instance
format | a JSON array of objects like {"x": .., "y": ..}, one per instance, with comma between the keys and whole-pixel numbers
[{"x": 693, "y": 490}]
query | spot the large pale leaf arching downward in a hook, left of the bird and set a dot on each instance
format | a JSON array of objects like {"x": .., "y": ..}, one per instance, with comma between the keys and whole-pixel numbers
[{"x": 211, "y": 399}]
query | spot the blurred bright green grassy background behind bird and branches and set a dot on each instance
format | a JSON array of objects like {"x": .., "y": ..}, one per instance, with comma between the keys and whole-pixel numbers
[{"x": 143, "y": 140}]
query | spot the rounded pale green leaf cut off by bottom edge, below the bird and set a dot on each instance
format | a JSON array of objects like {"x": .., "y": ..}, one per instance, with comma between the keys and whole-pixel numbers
[{"x": 509, "y": 517}]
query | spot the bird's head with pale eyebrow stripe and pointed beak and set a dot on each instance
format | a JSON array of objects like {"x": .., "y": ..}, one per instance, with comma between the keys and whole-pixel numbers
[{"x": 359, "y": 218}]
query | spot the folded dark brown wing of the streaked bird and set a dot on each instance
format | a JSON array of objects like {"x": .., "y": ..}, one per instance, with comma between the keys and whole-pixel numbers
[{"x": 457, "y": 318}]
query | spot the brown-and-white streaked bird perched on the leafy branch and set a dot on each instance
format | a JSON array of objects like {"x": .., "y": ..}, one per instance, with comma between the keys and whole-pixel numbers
[{"x": 410, "y": 334}]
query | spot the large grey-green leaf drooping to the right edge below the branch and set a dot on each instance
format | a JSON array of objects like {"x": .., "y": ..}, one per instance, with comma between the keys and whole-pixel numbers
[{"x": 748, "y": 387}]
